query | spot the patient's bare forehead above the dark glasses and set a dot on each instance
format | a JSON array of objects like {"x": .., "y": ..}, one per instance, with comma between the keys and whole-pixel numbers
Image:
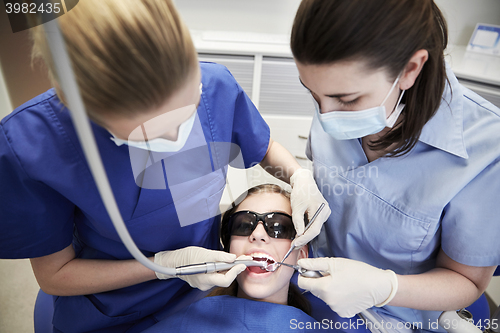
[{"x": 266, "y": 202}]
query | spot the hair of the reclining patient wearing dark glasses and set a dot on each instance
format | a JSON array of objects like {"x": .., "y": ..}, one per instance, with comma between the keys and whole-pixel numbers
[{"x": 295, "y": 297}]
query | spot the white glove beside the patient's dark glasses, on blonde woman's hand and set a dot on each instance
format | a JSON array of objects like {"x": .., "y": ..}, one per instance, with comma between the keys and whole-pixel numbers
[{"x": 306, "y": 197}]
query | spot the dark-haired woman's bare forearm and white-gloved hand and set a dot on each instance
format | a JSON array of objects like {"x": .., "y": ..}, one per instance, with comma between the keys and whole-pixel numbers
[{"x": 354, "y": 286}]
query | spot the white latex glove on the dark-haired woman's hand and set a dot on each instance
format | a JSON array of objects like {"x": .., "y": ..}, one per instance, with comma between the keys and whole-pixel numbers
[{"x": 352, "y": 285}]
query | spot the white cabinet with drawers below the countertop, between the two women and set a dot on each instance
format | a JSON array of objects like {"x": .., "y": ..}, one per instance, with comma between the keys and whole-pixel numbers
[{"x": 273, "y": 85}]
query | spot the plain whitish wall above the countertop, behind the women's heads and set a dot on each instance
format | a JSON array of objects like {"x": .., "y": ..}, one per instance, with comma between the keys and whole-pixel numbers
[{"x": 276, "y": 16}]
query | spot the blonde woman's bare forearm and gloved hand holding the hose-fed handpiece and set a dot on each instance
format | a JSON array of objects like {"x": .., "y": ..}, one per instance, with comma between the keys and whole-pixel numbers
[{"x": 63, "y": 274}]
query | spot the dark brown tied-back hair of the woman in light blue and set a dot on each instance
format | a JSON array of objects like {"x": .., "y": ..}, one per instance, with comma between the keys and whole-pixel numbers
[{"x": 385, "y": 34}]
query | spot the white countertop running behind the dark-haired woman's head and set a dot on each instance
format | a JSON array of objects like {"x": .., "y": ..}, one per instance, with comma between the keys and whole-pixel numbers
[{"x": 468, "y": 65}]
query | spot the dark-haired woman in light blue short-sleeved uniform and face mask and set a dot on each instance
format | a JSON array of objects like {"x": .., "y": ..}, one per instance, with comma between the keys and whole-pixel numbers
[{"x": 407, "y": 158}]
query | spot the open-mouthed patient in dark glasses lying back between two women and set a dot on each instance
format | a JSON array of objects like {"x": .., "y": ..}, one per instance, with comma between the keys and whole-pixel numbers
[{"x": 259, "y": 227}]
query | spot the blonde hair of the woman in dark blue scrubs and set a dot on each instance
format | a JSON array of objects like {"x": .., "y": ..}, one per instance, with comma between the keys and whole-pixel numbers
[{"x": 127, "y": 55}]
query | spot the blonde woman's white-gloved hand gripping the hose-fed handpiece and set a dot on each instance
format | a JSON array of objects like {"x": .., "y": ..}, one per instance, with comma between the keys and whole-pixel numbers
[{"x": 195, "y": 255}]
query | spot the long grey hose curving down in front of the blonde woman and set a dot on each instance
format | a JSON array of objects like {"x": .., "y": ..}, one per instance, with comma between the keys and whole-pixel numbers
[{"x": 82, "y": 125}]
